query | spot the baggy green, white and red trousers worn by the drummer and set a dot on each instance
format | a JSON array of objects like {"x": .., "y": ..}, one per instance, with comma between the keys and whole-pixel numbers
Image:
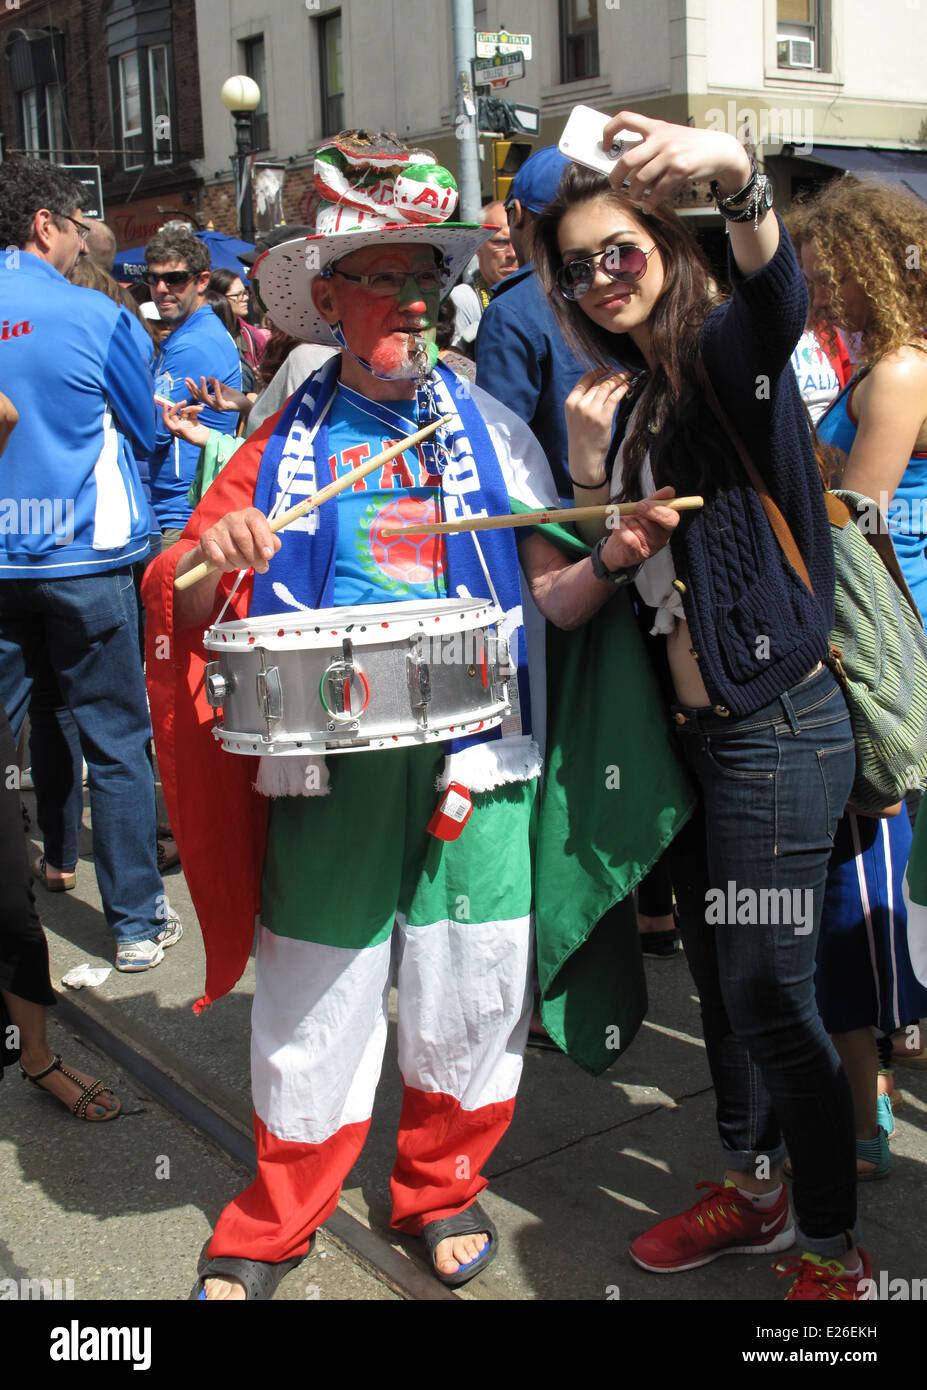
[{"x": 356, "y": 893}]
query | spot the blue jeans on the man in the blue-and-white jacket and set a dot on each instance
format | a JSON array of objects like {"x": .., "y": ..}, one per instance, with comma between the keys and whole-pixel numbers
[{"x": 83, "y": 635}]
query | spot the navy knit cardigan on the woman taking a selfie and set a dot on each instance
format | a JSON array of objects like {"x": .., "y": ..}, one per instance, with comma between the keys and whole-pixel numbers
[{"x": 755, "y": 626}]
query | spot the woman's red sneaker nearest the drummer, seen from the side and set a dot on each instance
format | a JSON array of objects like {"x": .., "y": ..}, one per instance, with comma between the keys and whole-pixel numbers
[{"x": 721, "y": 1224}]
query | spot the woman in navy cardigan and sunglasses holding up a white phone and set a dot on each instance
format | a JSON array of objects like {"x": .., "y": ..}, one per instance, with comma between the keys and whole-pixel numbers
[{"x": 762, "y": 722}]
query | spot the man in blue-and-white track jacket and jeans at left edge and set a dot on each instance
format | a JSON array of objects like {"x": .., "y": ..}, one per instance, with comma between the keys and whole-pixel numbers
[{"x": 73, "y": 523}]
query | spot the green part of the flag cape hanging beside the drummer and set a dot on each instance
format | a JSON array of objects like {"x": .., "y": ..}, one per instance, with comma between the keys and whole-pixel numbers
[{"x": 615, "y": 794}]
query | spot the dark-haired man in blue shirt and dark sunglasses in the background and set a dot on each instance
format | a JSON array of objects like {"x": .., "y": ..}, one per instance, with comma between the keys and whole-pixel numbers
[{"x": 197, "y": 347}]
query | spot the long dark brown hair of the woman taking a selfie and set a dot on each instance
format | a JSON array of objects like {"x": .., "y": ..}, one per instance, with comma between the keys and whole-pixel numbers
[{"x": 671, "y": 407}]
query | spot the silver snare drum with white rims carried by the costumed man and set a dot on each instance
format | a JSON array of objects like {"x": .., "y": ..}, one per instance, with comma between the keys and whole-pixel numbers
[{"x": 354, "y": 679}]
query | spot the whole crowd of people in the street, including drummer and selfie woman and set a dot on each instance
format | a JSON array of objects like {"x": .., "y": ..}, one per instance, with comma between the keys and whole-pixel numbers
[{"x": 593, "y": 358}]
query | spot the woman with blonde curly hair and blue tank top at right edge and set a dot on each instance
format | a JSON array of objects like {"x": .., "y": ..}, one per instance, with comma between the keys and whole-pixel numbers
[{"x": 861, "y": 248}]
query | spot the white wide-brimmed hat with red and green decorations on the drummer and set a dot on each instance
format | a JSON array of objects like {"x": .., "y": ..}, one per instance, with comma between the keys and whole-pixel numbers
[{"x": 373, "y": 191}]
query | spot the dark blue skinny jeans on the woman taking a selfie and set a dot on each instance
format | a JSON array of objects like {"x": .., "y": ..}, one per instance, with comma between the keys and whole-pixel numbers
[{"x": 750, "y": 875}]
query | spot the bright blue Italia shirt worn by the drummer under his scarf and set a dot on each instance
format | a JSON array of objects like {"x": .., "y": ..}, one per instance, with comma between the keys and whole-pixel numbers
[{"x": 373, "y": 568}]
